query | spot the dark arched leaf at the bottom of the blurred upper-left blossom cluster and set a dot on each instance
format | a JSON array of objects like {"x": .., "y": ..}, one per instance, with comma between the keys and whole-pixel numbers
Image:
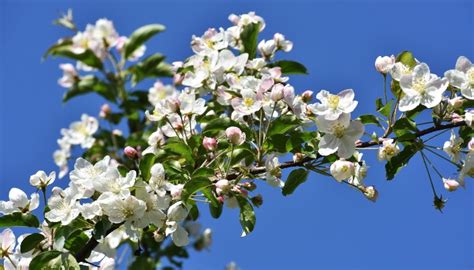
[{"x": 89, "y": 84}]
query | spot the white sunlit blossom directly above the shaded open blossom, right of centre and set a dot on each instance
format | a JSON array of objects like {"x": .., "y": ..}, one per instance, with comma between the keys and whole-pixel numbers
[{"x": 332, "y": 106}]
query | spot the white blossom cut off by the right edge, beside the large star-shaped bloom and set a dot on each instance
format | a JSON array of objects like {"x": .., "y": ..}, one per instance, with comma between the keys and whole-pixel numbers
[{"x": 462, "y": 77}]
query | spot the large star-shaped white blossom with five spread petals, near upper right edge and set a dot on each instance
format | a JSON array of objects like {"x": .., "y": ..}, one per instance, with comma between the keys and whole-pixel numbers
[{"x": 421, "y": 87}]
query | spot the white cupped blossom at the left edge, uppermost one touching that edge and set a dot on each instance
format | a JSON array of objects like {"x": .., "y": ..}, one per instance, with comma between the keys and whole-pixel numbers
[{"x": 19, "y": 202}]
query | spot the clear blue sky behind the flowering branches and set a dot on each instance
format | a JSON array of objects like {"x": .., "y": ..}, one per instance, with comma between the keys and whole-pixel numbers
[{"x": 323, "y": 225}]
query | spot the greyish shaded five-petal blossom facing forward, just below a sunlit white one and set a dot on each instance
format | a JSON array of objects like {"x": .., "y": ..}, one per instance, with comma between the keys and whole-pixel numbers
[{"x": 339, "y": 136}]
